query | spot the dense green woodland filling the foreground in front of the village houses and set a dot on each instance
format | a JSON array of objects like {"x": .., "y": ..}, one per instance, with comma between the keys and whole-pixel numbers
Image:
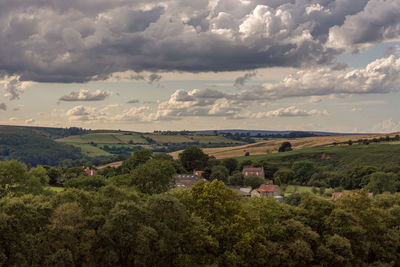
[{"x": 133, "y": 216}]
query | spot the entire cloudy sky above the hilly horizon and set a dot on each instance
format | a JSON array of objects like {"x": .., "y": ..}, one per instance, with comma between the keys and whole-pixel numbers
[{"x": 328, "y": 65}]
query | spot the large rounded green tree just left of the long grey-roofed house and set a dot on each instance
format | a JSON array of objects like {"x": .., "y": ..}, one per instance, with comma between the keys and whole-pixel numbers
[{"x": 154, "y": 176}]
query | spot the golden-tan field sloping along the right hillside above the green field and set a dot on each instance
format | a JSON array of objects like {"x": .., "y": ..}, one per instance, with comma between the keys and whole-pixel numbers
[{"x": 271, "y": 146}]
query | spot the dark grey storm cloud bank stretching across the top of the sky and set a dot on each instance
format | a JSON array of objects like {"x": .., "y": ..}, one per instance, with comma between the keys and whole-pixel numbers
[{"x": 82, "y": 40}]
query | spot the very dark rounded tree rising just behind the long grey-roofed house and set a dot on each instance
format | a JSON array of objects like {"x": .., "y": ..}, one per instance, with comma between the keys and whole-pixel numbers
[{"x": 193, "y": 158}]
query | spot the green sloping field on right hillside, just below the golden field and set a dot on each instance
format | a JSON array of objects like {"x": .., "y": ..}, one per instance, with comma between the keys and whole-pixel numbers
[{"x": 337, "y": 158}]
